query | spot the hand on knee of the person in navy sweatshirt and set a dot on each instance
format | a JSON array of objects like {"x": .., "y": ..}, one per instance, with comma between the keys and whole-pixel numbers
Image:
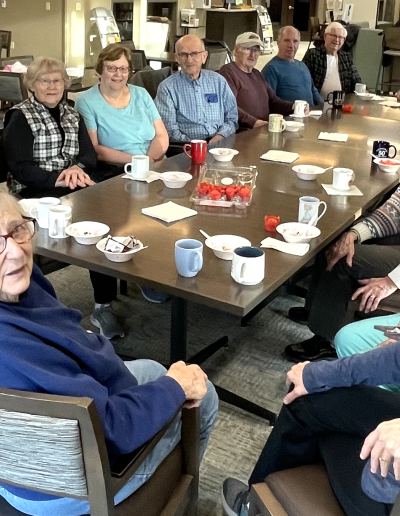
[{"x": 192, "y": 380}]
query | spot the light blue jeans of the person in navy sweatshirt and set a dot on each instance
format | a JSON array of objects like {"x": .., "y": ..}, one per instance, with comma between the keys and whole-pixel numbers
[{"x": 144, "y": 371}]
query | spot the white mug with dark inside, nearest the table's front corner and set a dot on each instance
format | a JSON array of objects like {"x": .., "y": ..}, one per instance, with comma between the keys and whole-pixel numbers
[{"x": 248, "y": 265}]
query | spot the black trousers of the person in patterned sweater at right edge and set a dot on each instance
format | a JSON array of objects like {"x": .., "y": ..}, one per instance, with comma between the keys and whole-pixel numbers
[{"x": 330, "y": 292}]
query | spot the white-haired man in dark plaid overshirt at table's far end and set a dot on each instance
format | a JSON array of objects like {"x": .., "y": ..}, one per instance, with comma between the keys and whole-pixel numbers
[{"x": 332, "y": 69}]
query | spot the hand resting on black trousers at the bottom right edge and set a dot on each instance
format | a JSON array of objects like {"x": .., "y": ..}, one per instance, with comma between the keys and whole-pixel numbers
[{"x": 383, "y": 443}]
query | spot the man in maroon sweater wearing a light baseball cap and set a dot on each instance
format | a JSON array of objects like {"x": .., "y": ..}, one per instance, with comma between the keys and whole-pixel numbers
[{"x": 254, "y": 97}]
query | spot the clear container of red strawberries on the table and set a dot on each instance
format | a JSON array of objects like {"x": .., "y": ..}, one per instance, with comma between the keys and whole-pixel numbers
[{"x": 226, "y": 187}]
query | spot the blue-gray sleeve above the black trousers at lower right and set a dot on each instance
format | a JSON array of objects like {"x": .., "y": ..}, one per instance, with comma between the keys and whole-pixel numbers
[{"x": 376, "y": 367}]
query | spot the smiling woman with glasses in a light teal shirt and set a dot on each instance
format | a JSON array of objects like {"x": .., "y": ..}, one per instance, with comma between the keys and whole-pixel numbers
[{"x": 122, "y": 120}]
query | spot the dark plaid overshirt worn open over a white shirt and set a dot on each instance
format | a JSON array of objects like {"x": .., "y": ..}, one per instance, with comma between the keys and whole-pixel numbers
[{"x": 315, "y": 59}]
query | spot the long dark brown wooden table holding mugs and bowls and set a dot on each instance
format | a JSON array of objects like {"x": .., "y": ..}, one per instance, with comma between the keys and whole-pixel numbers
[{"x": 118, "y": 203}]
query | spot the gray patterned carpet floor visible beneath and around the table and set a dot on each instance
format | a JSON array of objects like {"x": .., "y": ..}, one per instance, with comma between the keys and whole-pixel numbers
[{"x": 251, "y": 366}]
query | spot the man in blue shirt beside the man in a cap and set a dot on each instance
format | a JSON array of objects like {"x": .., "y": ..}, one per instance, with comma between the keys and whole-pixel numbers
[{"x": 289, "y": 78}]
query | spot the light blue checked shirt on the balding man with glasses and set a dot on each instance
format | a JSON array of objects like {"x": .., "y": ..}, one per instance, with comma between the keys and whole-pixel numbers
[{"x": 197, "y": 109}]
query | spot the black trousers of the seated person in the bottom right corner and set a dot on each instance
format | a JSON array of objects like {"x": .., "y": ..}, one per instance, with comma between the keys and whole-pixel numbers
[{"x": 330, "y": 427}]
